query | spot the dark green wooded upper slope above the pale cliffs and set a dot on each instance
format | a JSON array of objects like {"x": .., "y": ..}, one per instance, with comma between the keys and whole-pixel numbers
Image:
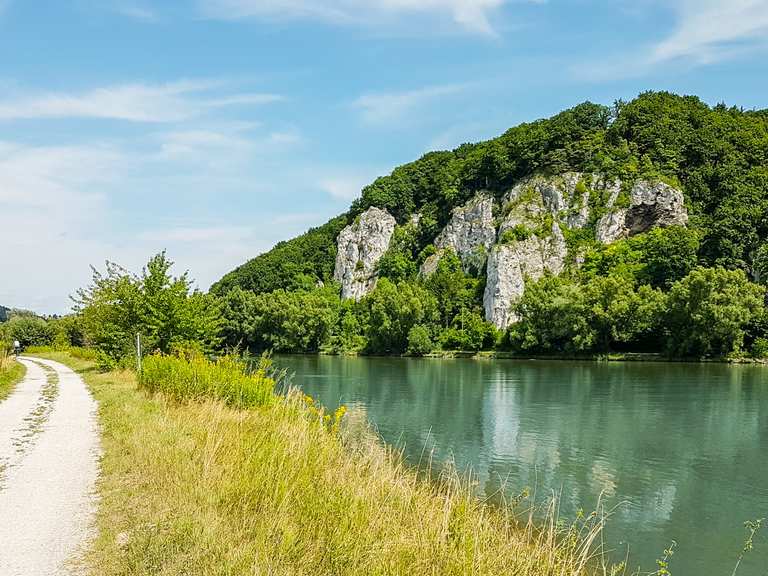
[{"x": 719, "y": 156}]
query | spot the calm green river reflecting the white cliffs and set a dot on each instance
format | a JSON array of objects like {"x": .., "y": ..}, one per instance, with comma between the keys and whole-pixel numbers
[{"x": 679, "y": 450}]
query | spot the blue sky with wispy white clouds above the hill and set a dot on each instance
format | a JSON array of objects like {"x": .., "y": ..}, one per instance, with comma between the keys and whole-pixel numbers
[{"x": 215, "y": 128}]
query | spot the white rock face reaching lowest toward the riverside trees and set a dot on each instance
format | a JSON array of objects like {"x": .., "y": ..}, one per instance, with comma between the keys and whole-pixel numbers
[{"x": 510, "y": 265}]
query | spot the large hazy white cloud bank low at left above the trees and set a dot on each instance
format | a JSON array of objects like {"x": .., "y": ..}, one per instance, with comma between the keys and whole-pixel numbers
[{"x": 65, "y": 208}]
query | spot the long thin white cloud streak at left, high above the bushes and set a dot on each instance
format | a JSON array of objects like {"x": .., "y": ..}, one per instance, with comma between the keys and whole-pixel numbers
[{"x": 171, "y": 102}]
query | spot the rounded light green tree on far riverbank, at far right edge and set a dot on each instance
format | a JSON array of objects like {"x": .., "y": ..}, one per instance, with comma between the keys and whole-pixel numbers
[{"x": 710, "y": 310}]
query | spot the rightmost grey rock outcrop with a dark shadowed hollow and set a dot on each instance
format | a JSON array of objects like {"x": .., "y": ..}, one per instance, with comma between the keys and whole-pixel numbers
[{"x": 651, "y": 204}]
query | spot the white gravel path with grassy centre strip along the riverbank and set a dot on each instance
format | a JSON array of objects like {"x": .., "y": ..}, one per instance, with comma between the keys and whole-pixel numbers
[{"x": 49, "y": 449}]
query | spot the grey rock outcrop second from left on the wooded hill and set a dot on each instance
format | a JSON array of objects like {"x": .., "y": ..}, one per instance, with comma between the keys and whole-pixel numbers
[{"x": 470, "y": 234}]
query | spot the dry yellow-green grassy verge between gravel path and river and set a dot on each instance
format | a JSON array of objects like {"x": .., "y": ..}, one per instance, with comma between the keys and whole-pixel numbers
[{"x": 202, "y": 488}]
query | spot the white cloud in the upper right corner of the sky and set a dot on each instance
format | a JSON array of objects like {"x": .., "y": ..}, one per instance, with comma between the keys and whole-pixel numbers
[{"x": 709, "y": 29}]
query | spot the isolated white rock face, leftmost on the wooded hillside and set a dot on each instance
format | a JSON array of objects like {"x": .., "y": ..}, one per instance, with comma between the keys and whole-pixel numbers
[{"x": 360, "y": 247}]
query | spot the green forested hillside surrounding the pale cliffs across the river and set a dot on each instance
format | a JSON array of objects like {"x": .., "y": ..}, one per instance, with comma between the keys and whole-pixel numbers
[{"x": 697, "y": 288}]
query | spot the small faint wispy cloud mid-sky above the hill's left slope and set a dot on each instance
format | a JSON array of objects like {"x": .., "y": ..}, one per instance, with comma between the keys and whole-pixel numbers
[{"x": 388, "y": 107}]
